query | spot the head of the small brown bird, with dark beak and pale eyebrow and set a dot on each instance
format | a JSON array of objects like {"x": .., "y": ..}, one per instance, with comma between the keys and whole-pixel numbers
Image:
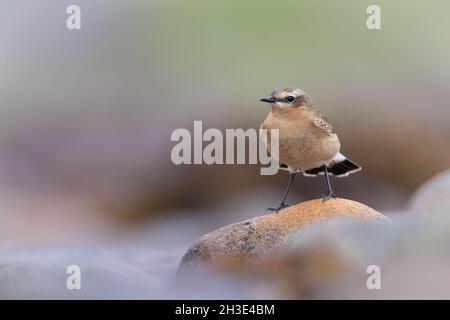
[{"x": 289, "y": 97}]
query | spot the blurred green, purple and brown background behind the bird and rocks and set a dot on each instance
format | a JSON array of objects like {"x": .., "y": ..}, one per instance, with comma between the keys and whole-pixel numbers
[{"x": 86, "y": 116}]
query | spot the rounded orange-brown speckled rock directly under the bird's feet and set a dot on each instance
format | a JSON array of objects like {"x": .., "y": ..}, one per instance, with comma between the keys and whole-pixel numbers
[{"x": 247, "y": 241}]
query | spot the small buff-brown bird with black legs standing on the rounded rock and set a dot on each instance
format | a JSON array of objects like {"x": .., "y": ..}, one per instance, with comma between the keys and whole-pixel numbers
[{"x": 307, "y": 141}]
